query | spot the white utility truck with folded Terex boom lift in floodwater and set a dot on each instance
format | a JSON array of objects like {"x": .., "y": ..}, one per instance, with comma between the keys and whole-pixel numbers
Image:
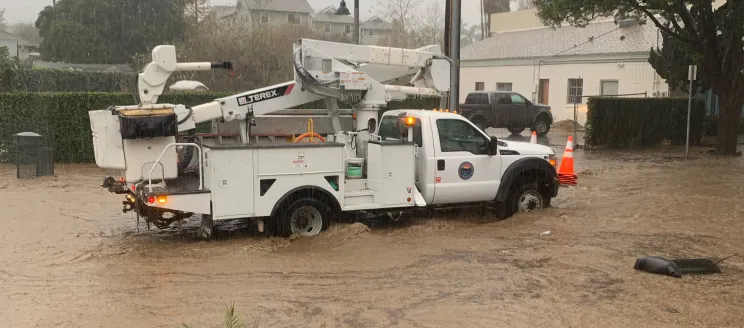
[{"x": 410, "y": 159}]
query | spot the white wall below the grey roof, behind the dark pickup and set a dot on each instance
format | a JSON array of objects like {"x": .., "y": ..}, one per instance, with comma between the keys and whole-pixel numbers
[{"x": 633, "y": 76}]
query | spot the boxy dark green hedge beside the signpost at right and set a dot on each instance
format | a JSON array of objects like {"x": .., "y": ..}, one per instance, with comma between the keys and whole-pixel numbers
[{"x": 626, "y": 122}]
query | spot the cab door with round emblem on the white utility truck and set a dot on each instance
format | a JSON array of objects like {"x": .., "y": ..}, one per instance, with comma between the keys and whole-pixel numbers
[{"x": 465, "y": 172}]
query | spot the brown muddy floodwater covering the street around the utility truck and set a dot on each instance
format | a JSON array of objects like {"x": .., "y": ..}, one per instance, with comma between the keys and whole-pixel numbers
[{"x": 71, "y": 258}]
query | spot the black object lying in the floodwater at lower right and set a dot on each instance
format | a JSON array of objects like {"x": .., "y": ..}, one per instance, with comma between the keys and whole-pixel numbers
[{"x": 675, "y": 268}]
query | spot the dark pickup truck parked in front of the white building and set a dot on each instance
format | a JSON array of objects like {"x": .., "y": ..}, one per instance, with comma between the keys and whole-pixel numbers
[{"x": 506, "y": 109}]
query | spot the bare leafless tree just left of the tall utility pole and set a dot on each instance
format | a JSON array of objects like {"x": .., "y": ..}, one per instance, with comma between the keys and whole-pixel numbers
[{"x": 403, "y": 16}]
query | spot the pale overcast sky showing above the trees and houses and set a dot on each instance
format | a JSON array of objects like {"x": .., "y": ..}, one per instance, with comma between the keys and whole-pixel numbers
[{"x": 26, "y": 10}]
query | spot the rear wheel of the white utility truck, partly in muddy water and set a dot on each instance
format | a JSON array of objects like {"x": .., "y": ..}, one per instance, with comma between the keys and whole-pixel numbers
[{"x": 305, "y": 217}]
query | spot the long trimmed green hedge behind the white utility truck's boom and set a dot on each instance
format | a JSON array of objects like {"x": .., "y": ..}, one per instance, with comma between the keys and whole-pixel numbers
[{"x": 62, "y": 118}]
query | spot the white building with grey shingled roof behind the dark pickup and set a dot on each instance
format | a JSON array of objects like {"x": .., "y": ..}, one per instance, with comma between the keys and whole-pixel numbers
[{"x": 557, "y": 66}]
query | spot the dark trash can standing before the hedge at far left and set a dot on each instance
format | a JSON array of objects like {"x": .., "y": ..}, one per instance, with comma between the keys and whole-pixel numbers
[{"x": 33, "y": 159}]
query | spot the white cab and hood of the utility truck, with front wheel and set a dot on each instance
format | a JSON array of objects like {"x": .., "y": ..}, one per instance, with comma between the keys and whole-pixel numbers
[{"x": 456, "y": 162}]
